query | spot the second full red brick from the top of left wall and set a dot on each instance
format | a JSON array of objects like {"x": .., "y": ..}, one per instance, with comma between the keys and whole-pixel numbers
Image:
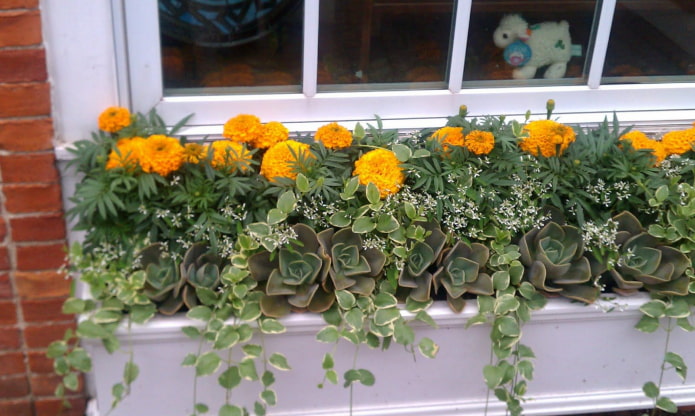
[{"x": 23, "y": 65}]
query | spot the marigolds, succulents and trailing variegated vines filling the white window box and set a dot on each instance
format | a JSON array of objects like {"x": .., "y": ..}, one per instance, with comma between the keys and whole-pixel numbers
[{"x": 369, "y": 228}]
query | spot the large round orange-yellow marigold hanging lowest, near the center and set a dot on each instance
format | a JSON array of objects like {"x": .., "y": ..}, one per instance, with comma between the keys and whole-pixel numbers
[{"x": 382, "y": 168}]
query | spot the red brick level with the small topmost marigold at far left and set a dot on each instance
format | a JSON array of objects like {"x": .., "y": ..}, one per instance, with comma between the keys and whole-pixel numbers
[{"x": 26, "y": 135}]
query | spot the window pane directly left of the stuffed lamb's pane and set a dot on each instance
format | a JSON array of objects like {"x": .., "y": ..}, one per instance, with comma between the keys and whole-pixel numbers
[{"x": 384, "y": 44}]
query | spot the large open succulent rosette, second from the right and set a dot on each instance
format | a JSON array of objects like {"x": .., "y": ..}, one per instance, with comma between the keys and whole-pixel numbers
[{"x": 556, "y": 263}]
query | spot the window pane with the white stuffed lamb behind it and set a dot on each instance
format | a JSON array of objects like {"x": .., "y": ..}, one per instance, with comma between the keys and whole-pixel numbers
[{"x": 529, "y": 42}]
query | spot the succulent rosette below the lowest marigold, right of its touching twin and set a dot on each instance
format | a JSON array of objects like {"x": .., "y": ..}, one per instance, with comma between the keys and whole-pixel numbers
[{"x": 352, "y": 267}]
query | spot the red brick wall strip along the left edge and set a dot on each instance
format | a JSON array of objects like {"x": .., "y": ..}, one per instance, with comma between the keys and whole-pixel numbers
[{"x": 32, "y": 231}]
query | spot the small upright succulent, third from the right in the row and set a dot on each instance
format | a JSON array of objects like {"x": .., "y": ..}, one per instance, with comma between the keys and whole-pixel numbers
[{"x": 460, "y": 271}]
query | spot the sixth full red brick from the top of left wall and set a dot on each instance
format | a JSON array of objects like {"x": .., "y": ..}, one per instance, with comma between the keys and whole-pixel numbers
[{"x": 32, "y": 198}]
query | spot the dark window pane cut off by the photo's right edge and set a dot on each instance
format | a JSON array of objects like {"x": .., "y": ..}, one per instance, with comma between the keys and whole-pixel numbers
[{"x": 651, "y": 41}]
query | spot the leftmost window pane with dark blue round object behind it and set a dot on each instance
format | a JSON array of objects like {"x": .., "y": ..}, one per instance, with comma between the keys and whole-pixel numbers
[{"x": 228, "y": 46}]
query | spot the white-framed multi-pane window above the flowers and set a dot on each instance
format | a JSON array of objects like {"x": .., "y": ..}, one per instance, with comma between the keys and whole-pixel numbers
[{"x": 412, "y": 62}]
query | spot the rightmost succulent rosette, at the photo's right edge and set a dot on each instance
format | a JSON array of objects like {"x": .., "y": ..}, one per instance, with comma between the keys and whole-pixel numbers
[{"x": 645, "y": 263}]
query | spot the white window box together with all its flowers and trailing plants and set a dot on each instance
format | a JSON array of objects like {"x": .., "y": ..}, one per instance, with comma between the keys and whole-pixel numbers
[{"x": 440, "y": 252}]
